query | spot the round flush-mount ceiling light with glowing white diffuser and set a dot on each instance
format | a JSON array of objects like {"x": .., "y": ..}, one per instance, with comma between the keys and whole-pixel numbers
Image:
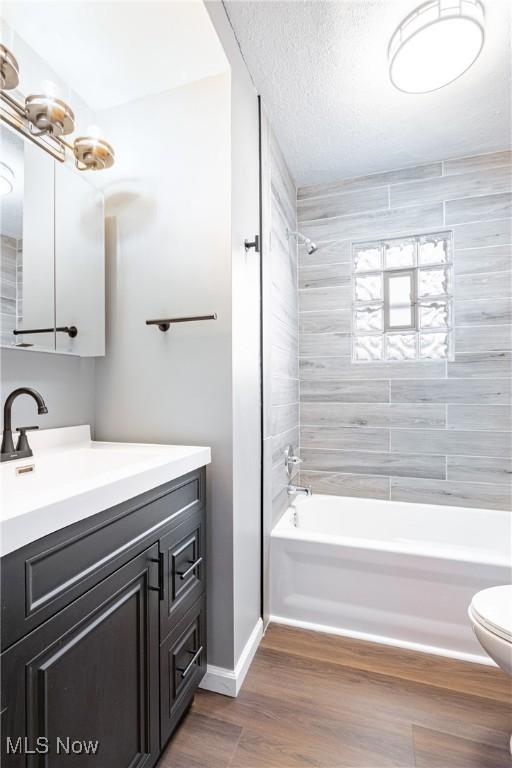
[{"x": 436, "y": 44}]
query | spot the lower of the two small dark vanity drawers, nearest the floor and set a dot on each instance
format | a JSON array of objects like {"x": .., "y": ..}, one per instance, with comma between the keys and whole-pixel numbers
[{"x": 182, "y": 667}]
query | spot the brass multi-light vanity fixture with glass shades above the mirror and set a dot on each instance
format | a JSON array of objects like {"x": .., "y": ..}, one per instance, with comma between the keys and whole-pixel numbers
[{"x": 46, "y": 119}]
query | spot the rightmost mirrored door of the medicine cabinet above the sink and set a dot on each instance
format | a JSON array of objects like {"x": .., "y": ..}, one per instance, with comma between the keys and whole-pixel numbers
[{"x": 79, "y": 263}]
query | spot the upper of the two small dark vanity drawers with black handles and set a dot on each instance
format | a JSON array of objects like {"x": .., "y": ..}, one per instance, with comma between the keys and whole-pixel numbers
[{"x": 183, "y": 550}]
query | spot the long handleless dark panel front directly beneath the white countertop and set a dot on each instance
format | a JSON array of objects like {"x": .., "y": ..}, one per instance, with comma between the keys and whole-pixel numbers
[{"x": 42, "y": 578}]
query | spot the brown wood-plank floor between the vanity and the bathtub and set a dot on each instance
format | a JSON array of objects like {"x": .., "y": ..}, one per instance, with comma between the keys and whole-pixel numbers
[{"x": 330, "y": 702}]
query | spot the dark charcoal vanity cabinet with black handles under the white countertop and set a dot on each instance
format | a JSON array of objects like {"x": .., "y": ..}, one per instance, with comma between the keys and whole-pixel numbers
[{"x": 104, "y": 633}]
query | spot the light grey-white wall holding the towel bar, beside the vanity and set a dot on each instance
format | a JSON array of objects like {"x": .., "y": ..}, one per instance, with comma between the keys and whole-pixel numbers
[{"x": 168, "y": 254}]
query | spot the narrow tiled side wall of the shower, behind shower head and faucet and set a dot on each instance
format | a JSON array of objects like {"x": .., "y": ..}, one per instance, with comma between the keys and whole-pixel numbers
[{"x": 281, "y": 319}]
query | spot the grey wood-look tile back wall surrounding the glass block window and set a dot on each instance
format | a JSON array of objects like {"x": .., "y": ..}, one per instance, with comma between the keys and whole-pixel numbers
[{"x": 434, "y": 431}]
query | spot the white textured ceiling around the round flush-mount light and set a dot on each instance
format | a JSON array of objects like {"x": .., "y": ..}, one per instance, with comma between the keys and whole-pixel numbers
[{"x": 321, "y": 68}]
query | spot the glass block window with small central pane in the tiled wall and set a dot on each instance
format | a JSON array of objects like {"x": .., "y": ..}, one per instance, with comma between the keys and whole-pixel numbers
[{"x": 402, "y": 298}]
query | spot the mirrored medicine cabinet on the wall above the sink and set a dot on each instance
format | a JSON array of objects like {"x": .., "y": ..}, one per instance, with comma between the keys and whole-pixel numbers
[{"x": 52, "y": 253}]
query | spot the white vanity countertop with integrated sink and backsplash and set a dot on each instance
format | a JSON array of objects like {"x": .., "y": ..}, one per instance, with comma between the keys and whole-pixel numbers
[{"x": 75, "y": 477}]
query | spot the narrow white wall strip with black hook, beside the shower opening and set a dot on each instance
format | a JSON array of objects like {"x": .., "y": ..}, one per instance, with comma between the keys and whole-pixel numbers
[{"x": 246, "y": 338}]
